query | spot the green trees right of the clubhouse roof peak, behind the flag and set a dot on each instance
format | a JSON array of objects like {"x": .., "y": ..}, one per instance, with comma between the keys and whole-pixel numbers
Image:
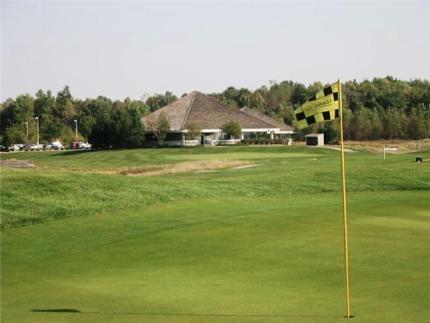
[{"x": 382, "y": 108}]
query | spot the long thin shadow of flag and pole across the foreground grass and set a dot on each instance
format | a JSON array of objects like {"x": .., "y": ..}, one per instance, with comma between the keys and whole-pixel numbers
[{"x": 71, "y": 310}]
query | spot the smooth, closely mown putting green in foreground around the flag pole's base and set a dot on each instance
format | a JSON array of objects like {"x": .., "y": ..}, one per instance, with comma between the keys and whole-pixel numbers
[{"x": 237, "y": 259}]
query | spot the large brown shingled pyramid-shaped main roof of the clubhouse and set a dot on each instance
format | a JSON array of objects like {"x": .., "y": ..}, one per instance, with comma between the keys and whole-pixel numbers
[{"x": 206, "y": 112}]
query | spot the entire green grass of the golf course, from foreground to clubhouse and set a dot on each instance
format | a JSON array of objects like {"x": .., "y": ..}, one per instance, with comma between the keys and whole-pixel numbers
[{"x": 254, "y": 244}]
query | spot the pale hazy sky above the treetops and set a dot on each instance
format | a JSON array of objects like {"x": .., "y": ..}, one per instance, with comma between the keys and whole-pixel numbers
[{"x": 131, "y": 48}]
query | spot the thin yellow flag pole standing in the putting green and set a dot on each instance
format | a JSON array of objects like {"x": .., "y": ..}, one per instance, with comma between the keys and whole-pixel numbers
[{"x": 345, "y": 214}]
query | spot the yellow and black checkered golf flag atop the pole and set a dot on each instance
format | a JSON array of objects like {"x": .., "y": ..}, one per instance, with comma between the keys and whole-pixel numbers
[{"x": 323, "y": 106}]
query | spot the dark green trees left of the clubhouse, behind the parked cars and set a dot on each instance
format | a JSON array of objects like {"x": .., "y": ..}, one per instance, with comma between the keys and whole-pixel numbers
[{"x": 101, "y": 121}]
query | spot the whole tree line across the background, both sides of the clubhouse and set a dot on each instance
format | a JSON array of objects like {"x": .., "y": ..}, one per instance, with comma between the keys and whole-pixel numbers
[{"x": 382, "y": 108}]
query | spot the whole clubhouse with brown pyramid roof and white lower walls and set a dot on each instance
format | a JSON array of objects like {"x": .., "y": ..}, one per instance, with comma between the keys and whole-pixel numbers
[{"x": 209, "y": 116}]
